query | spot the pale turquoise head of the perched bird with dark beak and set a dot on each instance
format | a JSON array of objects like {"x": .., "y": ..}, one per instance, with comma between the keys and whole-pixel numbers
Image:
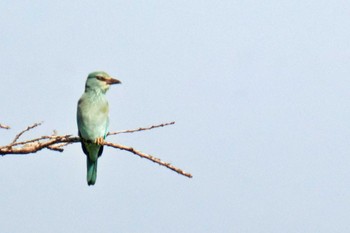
[{"x": 99, "y": 80}]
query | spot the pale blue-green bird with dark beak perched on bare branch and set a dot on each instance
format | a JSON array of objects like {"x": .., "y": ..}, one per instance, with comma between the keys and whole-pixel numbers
[{"x": 93, "y": 119}]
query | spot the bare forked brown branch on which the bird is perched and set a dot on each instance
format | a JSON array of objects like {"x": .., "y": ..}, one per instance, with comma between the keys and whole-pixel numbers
[{"x": 57, "y": 142}]
